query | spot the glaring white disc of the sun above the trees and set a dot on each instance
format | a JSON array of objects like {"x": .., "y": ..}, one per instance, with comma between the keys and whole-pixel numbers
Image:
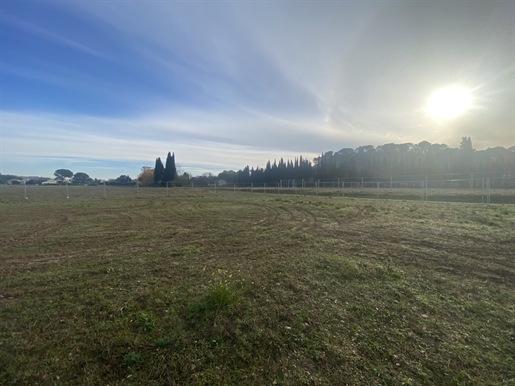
[{"x": 448, "y": 102}]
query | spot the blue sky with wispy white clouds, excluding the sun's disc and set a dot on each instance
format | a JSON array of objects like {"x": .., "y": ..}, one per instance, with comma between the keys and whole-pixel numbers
[{"x": 106, "y": 87}]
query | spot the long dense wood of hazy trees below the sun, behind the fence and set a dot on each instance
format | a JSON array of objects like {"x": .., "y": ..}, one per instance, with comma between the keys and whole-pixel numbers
[{"x": 382, "y": 161}]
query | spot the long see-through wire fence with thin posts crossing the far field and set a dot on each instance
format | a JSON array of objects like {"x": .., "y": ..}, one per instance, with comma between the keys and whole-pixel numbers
[{"x": 477, "y": 190}]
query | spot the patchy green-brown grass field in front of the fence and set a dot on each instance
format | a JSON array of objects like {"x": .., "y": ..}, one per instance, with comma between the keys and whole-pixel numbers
[{"x": 202, "y": 288}]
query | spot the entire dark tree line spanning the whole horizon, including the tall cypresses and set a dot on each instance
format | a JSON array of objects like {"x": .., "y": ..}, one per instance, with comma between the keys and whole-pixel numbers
[{"x": 384, "y": 161}]
